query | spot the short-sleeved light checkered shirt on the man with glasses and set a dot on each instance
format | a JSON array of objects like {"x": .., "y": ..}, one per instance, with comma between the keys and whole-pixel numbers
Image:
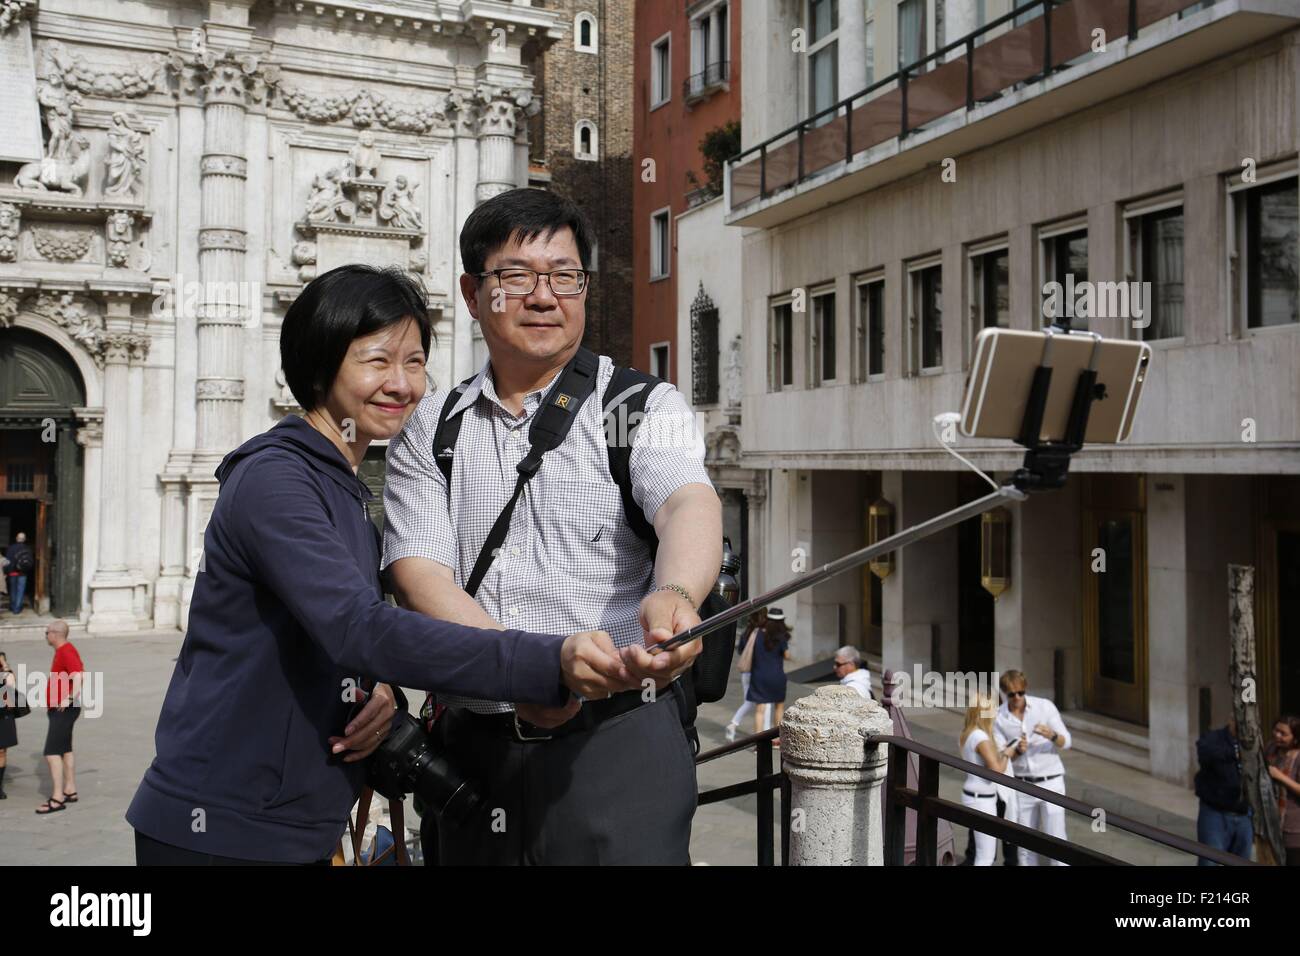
[{"x": 570, "y": 561}]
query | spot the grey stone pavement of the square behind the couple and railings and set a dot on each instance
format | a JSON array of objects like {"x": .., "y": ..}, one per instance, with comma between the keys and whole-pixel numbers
[{"x": 115, "y": 750}]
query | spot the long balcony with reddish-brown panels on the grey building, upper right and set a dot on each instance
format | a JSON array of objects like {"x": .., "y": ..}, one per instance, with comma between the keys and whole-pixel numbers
[{"x": 995, "y": 83}]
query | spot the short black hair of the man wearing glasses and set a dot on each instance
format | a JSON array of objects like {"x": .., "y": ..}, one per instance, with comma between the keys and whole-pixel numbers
[{"x": 522, "y": 214}]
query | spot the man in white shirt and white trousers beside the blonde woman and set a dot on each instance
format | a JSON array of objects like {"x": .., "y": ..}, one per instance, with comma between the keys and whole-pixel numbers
[{"x": 1037, "y": 724}]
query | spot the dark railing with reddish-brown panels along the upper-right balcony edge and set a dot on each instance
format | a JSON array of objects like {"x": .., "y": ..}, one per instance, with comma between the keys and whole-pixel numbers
[{"x": 973, "y": 70}]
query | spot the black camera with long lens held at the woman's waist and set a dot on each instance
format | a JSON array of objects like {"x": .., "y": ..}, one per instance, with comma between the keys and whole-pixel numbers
[{"x": 410, "y": 762}]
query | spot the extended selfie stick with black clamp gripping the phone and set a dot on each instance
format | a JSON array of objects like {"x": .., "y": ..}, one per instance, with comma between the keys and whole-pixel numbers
[{"x": 1046, "y": 468}]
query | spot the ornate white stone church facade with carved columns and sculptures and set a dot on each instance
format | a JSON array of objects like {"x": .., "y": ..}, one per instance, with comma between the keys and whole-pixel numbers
[{"x": 177, "y": 174}]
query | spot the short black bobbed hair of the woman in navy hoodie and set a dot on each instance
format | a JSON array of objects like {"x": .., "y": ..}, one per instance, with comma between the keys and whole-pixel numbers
[{"x": 336, "y": 309}]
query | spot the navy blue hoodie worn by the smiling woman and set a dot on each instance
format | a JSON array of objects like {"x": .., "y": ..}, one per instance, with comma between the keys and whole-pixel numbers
[{"x": 287, "y": 608}]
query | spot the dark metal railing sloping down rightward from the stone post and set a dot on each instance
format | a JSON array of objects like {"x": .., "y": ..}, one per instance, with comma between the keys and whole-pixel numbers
[{"x": 931, "y": 808}]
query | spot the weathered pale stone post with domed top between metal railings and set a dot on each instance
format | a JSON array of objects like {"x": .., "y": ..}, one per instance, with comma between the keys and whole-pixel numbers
[{"x": 837, "y": 784}]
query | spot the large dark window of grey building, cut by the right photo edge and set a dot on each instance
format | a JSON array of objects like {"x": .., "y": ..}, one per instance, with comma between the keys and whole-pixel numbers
[{"x": 1266, "y": 253}]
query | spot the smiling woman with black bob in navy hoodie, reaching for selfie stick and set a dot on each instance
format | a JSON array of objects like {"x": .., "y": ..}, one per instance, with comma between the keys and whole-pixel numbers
[{"x": 257, "y": 760}]
